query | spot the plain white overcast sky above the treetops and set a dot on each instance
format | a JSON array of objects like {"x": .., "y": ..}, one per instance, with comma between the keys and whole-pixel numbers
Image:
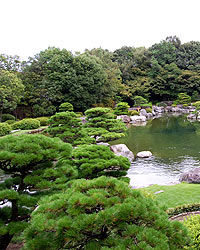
[{"x": 30, "y": 26}]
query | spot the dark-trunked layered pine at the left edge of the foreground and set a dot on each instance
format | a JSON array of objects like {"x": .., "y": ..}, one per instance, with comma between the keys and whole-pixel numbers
[{"x": 24, "y": 160}]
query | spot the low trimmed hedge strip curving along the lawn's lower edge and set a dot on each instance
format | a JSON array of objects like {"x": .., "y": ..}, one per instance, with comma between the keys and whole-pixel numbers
[{"x": 183, "y": 209}]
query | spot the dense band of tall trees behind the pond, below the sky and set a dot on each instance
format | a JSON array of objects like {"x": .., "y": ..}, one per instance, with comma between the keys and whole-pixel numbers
[{"x": 98, "y": 77}]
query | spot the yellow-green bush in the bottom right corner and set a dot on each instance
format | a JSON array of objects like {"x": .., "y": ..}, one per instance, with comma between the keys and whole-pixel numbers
[{"x": 193, "y": 225}]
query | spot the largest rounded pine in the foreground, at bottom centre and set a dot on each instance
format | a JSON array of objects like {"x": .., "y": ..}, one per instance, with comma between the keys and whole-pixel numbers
[{"x": 103, "y": 213}]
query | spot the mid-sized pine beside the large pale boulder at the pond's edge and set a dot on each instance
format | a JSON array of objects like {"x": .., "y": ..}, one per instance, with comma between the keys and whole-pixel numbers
[{"x": 93, "y": 161}]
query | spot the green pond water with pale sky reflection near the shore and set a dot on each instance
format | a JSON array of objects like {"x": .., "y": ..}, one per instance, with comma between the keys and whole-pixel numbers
[{"x": 174, "y": 143}]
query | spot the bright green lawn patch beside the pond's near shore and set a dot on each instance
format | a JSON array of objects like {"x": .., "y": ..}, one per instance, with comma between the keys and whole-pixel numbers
[{"x": 175, "y": 195}]
